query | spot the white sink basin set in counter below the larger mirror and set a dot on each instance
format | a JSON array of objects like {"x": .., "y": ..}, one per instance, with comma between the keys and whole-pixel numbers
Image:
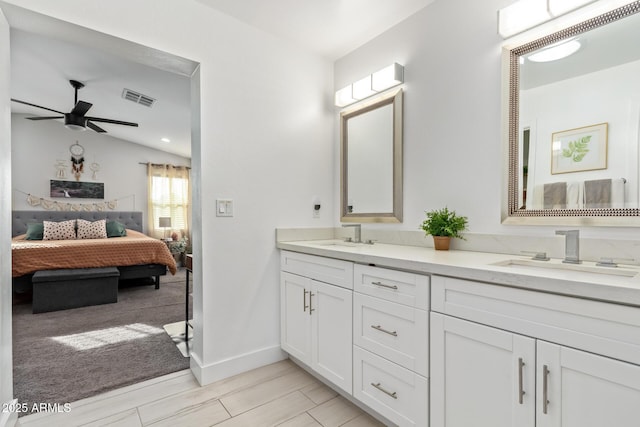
[{"x": 583, "y": 270}]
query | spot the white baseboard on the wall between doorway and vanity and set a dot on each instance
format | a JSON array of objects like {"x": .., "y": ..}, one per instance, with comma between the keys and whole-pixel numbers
[{"x": 207, "y": 374}]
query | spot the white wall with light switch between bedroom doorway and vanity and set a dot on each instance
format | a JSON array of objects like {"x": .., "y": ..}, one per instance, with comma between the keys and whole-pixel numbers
[{"x": 266, "y": 142}]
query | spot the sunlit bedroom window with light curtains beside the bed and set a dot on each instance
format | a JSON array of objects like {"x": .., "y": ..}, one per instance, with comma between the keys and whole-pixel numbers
[{"x": 169, "y": 196}]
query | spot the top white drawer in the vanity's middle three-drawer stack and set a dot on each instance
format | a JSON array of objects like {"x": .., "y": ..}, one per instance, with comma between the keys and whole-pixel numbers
[{"x": 397, "y": 286}]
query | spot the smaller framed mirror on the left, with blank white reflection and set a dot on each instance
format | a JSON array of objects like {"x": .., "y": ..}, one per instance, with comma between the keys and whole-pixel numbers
[{"x": 371, "y": 160}]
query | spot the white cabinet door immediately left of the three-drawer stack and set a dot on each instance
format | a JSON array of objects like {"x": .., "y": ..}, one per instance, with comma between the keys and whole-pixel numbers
[{"x": 331, "y": 325}]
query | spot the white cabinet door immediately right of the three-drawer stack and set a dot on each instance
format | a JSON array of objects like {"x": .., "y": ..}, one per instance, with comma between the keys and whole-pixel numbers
[{"x": 480, "y": 376}]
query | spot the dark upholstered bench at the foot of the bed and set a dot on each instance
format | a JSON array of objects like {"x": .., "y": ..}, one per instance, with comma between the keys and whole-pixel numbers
[{"x": 71, "y": 288}]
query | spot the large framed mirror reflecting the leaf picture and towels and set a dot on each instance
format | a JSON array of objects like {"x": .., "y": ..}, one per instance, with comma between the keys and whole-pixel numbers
[{"x": 574, "y": 124}]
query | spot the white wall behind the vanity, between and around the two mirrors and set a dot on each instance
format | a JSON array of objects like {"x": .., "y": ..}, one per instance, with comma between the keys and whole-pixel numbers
[{"x": 452, "y": 113}]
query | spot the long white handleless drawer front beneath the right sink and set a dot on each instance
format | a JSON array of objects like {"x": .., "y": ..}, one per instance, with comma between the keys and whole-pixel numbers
[{"x": 598, "y": 327}]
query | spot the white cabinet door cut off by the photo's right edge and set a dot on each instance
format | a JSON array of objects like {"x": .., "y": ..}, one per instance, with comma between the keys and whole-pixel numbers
[{"x": 585, "y": 390}]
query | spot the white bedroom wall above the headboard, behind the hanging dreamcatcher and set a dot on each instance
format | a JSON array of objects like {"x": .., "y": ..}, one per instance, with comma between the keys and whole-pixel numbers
[{"x": 38, "y": 145}]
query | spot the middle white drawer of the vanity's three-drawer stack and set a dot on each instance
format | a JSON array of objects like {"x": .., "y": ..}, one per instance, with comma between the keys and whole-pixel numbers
[{"x": 394, "y": 331}]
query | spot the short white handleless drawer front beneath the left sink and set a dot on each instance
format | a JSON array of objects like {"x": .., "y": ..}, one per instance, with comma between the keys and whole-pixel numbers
[{"x": 328, "y": 270}]
